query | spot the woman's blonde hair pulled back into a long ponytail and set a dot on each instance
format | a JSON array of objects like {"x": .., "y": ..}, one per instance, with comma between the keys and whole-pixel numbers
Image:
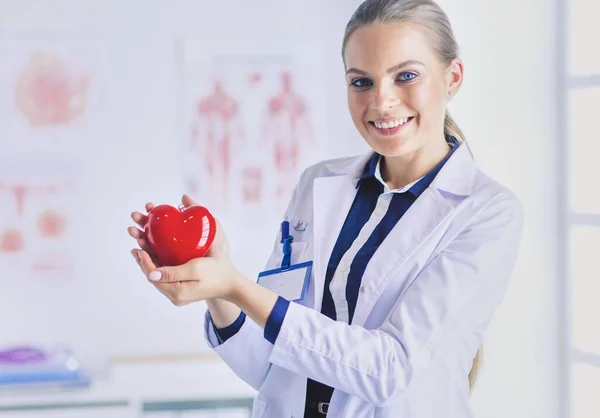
[{"x": 434, "y": 20}]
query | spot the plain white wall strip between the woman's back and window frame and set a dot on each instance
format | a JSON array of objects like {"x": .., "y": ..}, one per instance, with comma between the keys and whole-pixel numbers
[{"x": 508, "y": 108}]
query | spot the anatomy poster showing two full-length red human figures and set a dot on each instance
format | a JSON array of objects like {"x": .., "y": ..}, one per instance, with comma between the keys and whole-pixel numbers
[{"x": 252, "y": 119}]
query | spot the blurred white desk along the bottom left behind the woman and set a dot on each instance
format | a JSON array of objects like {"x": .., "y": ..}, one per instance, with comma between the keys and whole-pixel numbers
[{"x": 150, "y": 390}]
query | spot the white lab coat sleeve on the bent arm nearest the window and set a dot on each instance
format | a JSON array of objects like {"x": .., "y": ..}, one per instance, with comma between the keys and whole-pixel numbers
[{"x": 456, "y": 294}]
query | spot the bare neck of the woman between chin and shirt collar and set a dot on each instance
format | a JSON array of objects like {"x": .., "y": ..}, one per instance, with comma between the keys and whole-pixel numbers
[{"x": 399, "y": 171}]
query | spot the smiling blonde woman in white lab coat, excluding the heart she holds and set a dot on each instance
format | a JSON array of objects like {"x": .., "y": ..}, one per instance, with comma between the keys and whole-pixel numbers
[{"x": 412, "y": 248}]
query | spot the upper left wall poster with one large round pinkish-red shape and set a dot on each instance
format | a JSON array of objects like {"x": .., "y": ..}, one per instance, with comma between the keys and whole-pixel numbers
[{"x": 51, "y": 92}]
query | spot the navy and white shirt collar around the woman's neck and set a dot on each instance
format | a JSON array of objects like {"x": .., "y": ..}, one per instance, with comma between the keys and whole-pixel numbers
[{"x": 372, "y": 171}]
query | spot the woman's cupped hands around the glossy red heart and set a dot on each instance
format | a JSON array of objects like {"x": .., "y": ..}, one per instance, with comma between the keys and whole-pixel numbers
[{"x": 211, "y": 276}]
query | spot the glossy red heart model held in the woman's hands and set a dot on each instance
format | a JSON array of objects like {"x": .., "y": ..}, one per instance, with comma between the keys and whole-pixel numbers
[{"x": 179, "y": 235}]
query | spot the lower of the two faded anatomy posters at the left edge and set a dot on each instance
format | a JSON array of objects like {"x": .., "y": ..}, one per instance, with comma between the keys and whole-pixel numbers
[{"x": 37, "y": 226}]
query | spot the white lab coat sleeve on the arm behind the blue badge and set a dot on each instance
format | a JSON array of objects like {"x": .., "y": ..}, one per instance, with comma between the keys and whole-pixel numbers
[{"x": 247, "y": 352}]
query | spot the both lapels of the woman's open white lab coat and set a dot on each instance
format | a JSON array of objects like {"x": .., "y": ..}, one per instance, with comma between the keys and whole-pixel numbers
[{"x": 333, "y": 197}]
